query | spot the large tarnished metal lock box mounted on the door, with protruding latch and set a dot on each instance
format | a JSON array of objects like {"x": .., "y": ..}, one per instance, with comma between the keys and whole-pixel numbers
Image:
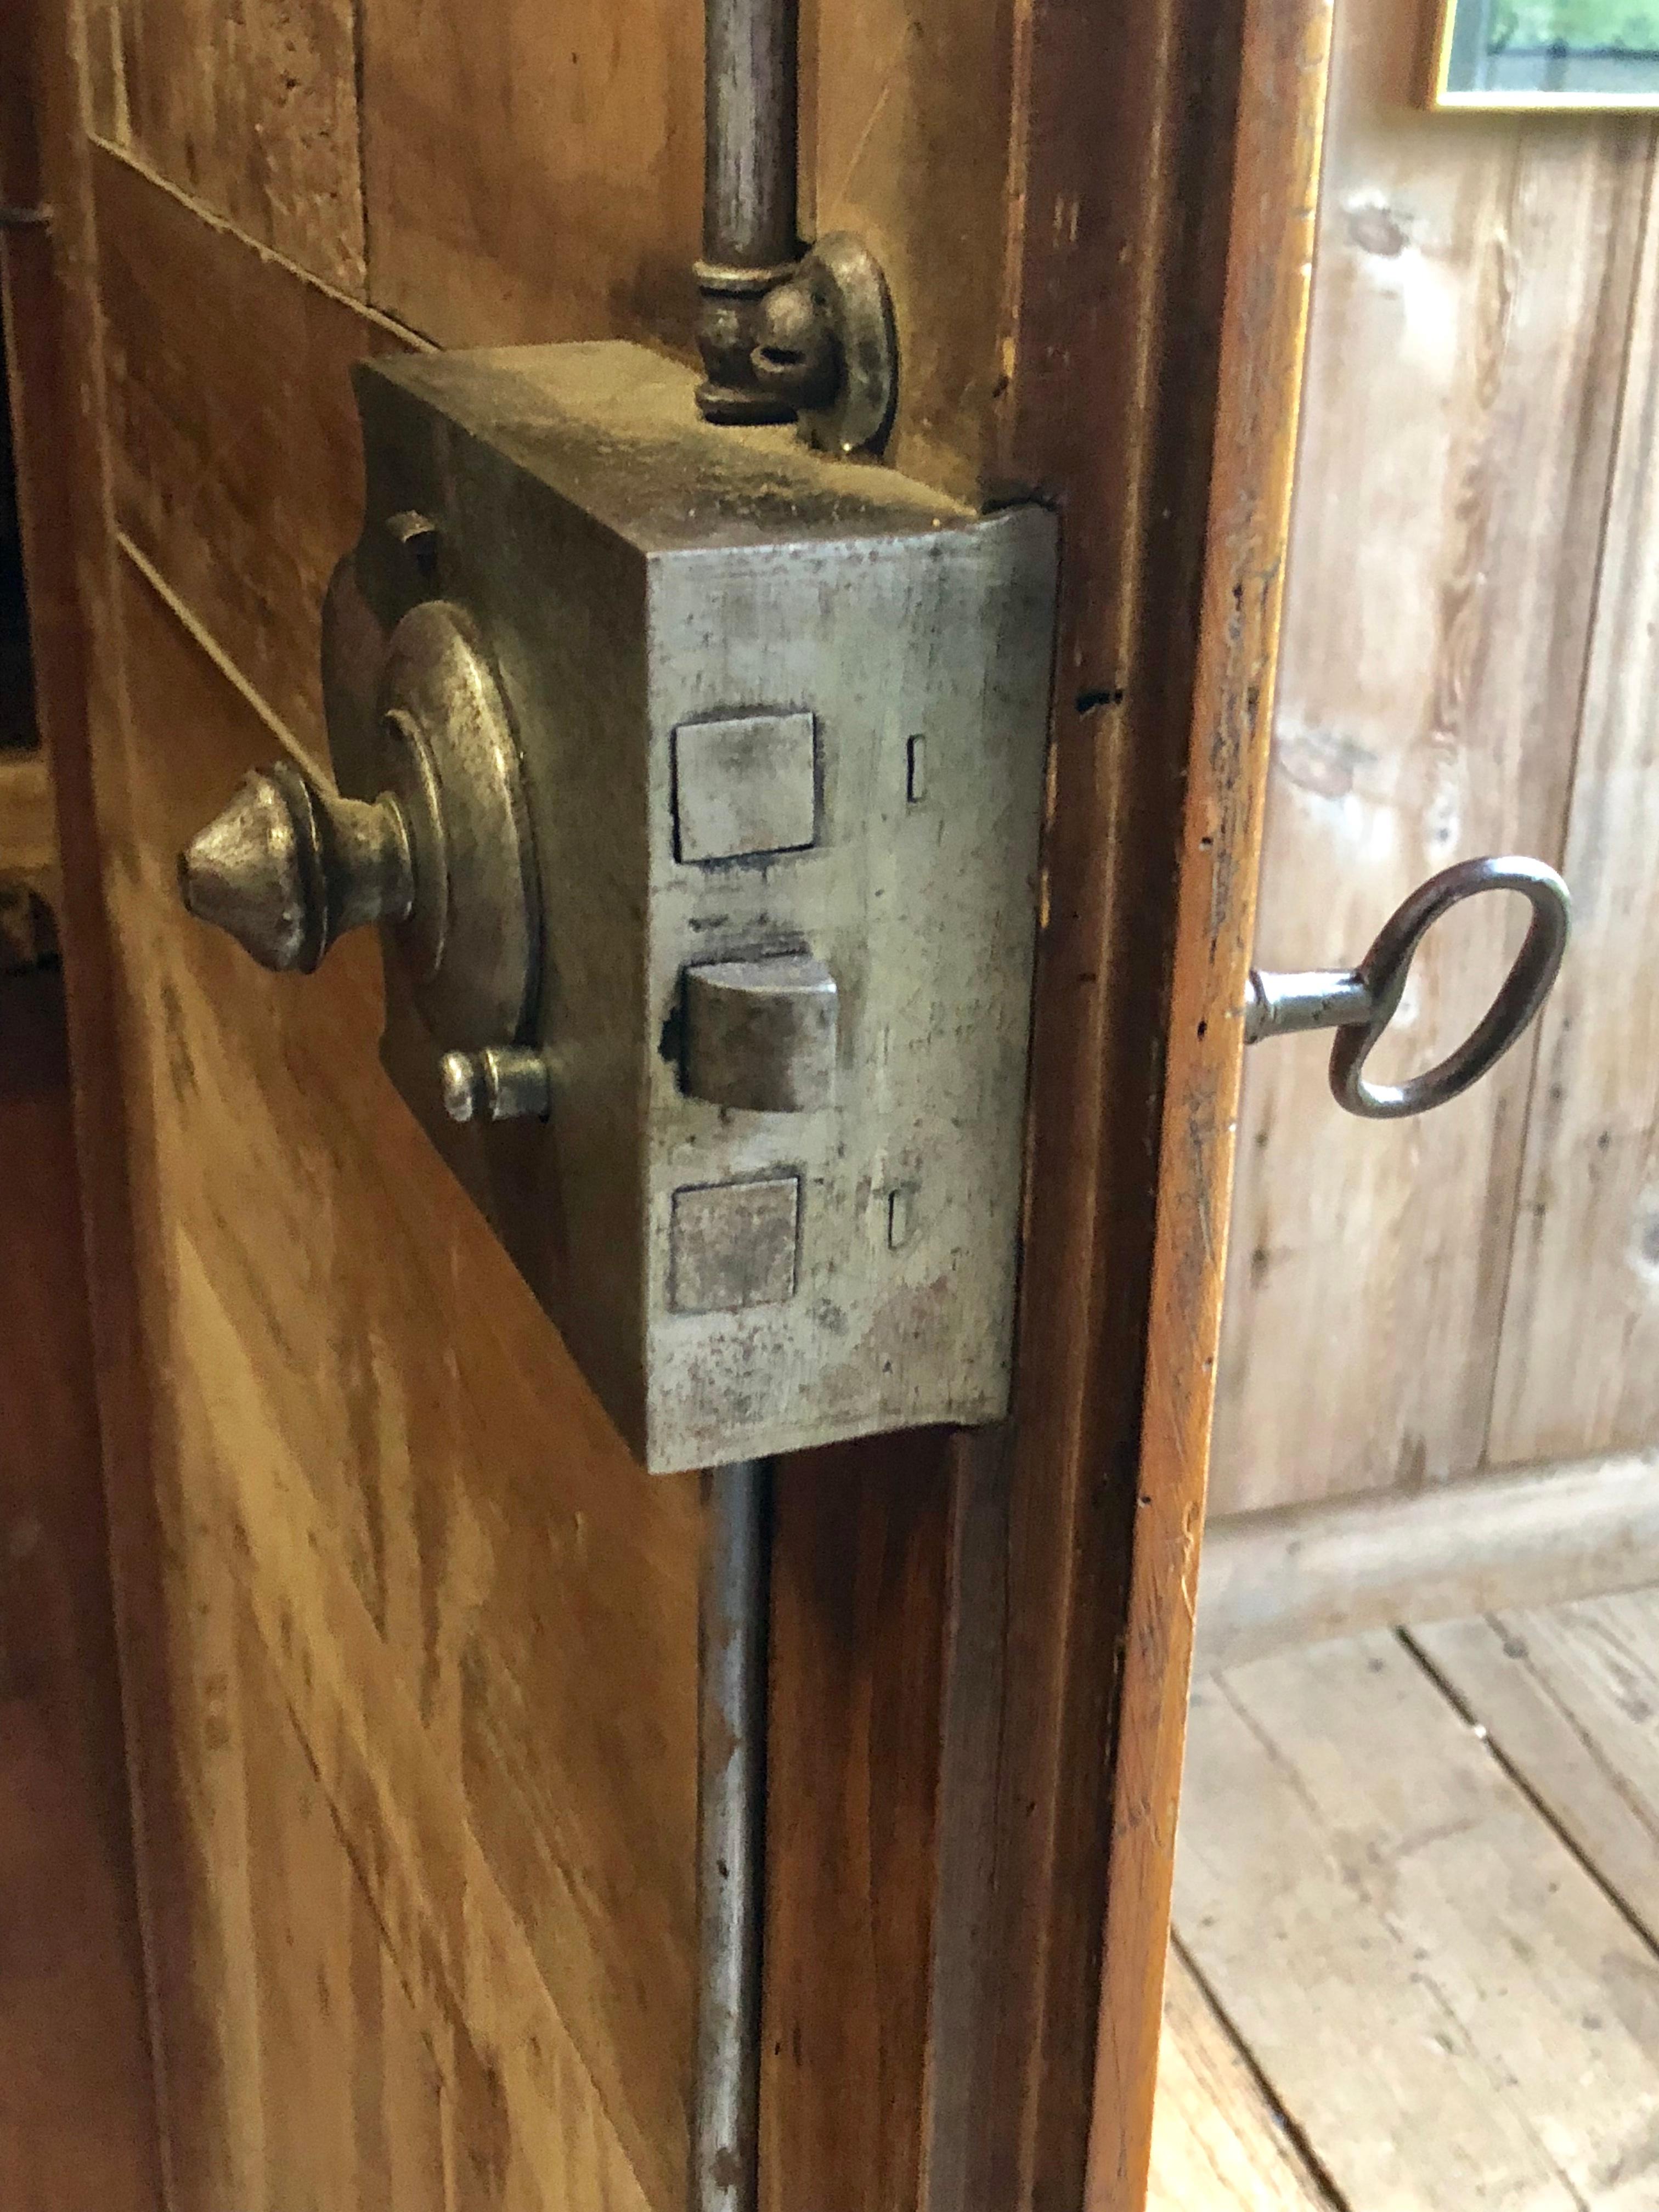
[{"x": 722, "y": 773}]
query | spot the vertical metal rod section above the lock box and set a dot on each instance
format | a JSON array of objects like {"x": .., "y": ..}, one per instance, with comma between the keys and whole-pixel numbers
[{"x": 749, "y": 134}]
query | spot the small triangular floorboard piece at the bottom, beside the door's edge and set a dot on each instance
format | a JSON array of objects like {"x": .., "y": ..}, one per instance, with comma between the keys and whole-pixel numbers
[{"x": 1218, "y": 2142}]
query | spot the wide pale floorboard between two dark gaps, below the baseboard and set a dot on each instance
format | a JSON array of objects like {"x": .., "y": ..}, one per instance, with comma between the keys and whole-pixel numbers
[{"x": 1441, "y": 1996}]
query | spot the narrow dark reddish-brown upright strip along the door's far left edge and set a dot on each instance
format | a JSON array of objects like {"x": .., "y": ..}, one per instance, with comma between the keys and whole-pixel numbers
[{"x": 48, "y": 278}]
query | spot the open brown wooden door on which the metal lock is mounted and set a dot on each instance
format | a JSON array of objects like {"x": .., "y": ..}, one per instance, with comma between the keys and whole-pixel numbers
[{"x": 410, "y": 1642}]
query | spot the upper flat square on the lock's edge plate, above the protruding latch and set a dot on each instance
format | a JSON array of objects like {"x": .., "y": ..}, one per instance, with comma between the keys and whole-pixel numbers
[{"x": 744, "y": 786}]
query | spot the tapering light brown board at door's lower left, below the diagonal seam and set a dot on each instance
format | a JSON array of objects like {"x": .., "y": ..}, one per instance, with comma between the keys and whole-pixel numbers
[{"x": 298, "y": 2063}]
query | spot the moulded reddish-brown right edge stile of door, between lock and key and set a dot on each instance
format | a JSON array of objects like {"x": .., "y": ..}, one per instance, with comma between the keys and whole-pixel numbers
[{"x": 1160, "y": 284}]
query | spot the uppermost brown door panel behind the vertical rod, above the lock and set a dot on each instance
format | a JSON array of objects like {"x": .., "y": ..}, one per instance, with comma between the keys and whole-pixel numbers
[{"x": 536, "y": 176}]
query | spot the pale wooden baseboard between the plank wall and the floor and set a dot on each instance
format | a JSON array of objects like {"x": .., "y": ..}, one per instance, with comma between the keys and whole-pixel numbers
[{"x": 1523, "y": 1538}]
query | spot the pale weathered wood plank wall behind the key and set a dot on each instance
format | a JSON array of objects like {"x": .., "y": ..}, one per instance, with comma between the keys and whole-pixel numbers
[{"x": 1465, "y": 669}]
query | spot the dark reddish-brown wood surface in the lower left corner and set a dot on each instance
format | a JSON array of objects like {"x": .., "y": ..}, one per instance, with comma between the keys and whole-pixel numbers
[{"x": 76, "y": 2098}]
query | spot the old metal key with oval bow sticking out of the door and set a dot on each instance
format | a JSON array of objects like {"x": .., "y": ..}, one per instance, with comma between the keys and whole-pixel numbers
[{"x": 1361, "y": 1003}]
